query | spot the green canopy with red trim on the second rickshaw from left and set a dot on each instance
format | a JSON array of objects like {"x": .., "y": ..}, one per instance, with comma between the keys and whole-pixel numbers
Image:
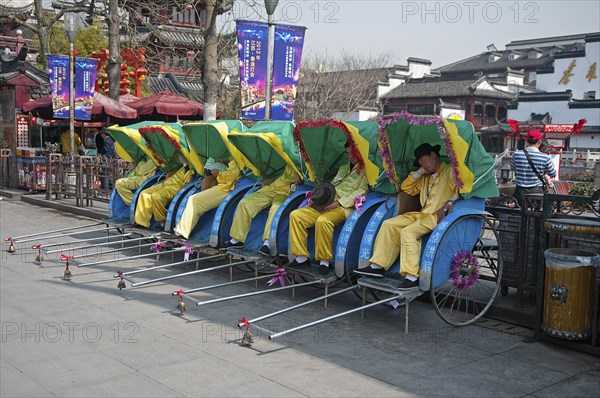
[{"x": 166, "y": 141}]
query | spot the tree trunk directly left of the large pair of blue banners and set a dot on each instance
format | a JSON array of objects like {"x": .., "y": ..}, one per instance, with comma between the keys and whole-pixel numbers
[{"x": 210, "y": 75}]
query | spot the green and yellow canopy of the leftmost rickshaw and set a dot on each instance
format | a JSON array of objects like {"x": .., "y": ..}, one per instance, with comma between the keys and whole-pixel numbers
[{"x": 129, "y": 144}]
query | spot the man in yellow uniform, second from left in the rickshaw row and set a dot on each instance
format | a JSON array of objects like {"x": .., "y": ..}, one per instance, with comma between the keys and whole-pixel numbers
[{"x": 154, "y": 200}]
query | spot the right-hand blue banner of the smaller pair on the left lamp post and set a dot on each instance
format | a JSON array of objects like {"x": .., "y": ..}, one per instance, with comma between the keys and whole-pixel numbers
[{"x": 85, "y": 80}]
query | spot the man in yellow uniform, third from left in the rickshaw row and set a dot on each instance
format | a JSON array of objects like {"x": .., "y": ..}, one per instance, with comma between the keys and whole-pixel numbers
[{"x": 204, "y": 201}]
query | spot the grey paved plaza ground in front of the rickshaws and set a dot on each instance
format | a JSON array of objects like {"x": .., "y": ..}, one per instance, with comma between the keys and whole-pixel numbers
[{"x": 85, "y": 337}]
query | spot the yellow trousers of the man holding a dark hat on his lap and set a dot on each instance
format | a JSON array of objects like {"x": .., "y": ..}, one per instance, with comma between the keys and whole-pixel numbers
[{"x": 324, "y": 223}]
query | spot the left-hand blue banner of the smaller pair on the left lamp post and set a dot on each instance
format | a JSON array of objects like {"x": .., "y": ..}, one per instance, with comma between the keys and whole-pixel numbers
[{"x": 58, "y": 69}]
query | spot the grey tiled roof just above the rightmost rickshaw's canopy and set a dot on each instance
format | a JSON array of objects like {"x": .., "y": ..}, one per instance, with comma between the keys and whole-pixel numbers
[{"x": 444, "y": 87}]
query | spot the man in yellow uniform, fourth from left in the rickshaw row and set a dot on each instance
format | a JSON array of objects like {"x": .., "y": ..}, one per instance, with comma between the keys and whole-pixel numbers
[{"x": 272, "y": 195}]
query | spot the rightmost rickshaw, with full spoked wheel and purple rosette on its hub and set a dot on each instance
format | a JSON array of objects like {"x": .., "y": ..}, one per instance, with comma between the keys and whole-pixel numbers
[{"x": 460, "y": 263}]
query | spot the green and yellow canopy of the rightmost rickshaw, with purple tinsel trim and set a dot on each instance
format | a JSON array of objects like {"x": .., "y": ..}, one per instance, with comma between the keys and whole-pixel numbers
[{"x": 472, "y": 166}]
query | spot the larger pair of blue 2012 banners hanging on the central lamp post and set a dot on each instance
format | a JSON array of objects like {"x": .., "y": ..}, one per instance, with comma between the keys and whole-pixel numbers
[{"x": 252, "y": 49}]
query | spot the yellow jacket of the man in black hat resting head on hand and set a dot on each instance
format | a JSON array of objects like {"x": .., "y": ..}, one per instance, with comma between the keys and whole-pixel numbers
[{"x": 434, "y": 191}]
